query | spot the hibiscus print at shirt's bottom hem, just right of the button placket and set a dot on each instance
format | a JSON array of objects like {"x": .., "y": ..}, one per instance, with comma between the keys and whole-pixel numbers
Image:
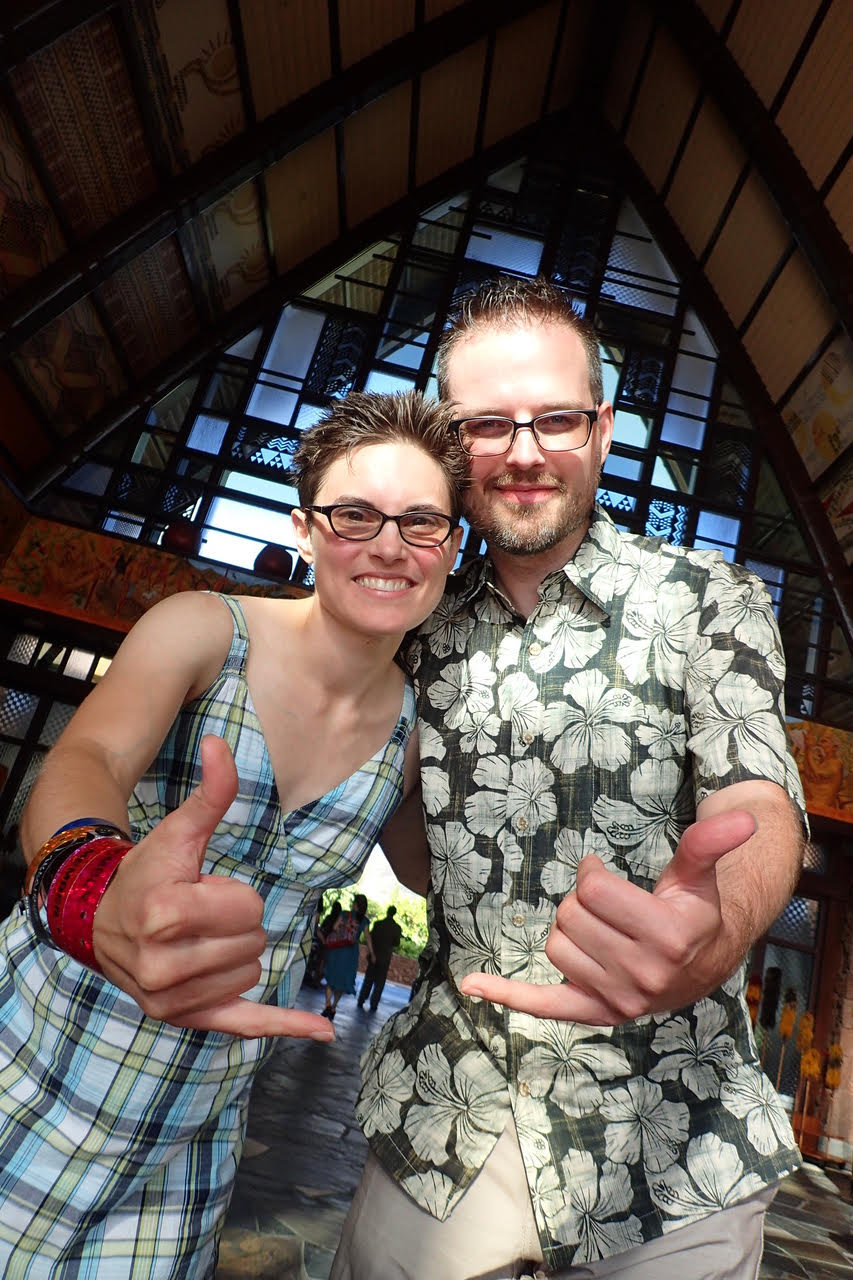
[{"x": 597, "y": 1205}]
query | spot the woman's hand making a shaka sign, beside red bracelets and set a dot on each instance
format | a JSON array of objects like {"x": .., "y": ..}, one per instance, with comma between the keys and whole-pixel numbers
[{"x": 186, "y": 945}]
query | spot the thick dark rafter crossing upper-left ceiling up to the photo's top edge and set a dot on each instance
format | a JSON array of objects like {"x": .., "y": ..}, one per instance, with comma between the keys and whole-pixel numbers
[{"x": 244, "y": 158}]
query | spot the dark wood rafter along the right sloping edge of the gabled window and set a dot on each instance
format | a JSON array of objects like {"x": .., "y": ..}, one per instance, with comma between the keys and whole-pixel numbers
[{"x": 776, "y": 438}]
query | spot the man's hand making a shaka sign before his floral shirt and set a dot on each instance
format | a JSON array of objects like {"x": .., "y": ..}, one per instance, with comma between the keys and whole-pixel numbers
[{"x": 627, "y": 953}]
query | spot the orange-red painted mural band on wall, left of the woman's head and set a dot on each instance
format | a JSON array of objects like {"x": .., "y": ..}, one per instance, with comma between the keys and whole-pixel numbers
[{"x": 107, "y": 582}]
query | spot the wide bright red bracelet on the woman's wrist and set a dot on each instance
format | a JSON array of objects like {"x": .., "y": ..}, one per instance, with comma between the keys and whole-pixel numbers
[{"x": 76, "y": 893}]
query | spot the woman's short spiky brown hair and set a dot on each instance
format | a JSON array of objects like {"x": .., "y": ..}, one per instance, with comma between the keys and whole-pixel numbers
[{"x": 364, "y": 418}]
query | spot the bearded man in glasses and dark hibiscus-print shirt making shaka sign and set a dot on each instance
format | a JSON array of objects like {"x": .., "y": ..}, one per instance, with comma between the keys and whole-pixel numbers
[{"x": 585, "y": 698}]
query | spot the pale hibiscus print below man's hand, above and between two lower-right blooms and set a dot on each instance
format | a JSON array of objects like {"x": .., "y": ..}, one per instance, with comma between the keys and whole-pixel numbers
[{"x": 699, "y": 1060}]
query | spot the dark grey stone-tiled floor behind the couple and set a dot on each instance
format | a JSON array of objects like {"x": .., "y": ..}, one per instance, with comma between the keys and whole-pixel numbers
[{"x": 304, "y": 1155}]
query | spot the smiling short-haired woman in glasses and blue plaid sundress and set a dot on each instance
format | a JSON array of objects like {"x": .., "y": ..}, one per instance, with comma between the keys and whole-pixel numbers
[{"x": 126, "y": 1064}]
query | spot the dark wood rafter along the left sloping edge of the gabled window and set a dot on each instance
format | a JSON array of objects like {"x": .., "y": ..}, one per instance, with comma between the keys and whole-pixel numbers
[{"x": 268, "y": 301}]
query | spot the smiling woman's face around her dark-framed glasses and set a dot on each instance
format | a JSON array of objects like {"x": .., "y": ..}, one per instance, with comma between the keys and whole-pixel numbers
[{"x": 382, "y": 587}]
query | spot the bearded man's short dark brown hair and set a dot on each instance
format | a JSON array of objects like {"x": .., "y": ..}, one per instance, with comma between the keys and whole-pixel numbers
[{"x": 509, "y": 303}]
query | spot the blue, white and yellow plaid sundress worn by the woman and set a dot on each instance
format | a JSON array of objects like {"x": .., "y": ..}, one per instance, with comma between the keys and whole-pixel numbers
[{"x": 121, "y": 1136}]
